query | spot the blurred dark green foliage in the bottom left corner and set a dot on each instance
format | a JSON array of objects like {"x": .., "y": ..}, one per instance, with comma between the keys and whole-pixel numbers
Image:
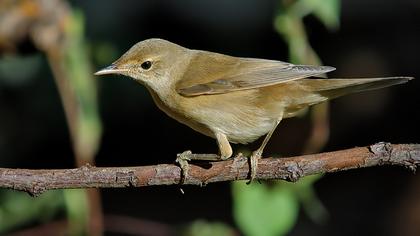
[{"x": 19, "y": 208}]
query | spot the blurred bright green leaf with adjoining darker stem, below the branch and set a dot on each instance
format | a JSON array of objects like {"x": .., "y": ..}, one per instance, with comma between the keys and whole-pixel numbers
[{"x": 272, "y": 208}]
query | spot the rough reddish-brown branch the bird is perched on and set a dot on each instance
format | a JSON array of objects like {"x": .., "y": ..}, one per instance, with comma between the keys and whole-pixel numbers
[{"x": 290, "y": 169}]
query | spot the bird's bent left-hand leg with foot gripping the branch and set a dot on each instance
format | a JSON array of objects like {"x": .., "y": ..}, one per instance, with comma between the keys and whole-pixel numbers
[{"x": 185, "y": 157}]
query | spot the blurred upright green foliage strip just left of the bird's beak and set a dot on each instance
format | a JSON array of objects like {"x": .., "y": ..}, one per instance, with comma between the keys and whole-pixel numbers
[{"x": 79, "y": 72}]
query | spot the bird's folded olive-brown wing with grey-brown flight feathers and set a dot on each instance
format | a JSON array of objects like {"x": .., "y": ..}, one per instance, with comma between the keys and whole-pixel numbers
[{"x": 212, "y": 73}]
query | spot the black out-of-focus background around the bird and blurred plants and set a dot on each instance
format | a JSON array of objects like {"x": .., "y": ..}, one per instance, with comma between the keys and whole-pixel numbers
[{"x": 375, "y": 38}]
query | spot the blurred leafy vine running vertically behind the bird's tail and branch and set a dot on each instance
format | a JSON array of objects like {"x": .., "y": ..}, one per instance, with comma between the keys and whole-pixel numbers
[{"x": 272, "y": 208}]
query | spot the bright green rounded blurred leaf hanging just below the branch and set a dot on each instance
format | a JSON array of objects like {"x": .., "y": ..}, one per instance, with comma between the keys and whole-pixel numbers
[{"x": 264, "y": 210}]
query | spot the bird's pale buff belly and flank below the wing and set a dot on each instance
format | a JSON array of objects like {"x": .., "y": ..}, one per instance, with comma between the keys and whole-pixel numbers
[{"x": 243, "y": 123}]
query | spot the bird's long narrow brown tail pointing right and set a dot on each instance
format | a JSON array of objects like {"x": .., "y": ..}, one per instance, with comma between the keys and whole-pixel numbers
[{"x": 333, "y": 88}]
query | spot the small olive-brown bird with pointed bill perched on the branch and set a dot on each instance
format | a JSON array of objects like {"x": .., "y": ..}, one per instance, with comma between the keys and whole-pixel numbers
[{"x": 232, "y": 99}]
